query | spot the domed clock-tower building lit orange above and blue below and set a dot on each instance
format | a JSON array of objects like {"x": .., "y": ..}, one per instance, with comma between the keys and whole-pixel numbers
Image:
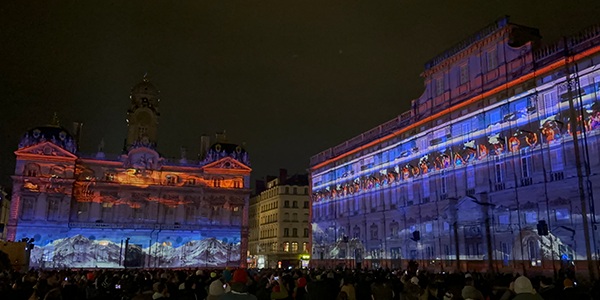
[{"x": 135, "y": 209}]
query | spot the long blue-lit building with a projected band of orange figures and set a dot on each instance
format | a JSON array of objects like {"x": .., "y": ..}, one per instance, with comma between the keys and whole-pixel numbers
[{"x": 493, "y": 167}]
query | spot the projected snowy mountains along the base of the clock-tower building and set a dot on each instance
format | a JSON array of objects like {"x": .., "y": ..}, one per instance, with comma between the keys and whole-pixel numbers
[{"x": 81, "y": 252}]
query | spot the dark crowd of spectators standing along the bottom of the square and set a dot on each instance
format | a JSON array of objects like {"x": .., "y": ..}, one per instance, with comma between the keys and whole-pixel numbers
[{"x": 293, "y": 284}]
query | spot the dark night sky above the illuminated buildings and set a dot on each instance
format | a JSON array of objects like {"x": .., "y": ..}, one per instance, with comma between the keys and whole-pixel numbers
[{"x": 291, "y": 78}]
